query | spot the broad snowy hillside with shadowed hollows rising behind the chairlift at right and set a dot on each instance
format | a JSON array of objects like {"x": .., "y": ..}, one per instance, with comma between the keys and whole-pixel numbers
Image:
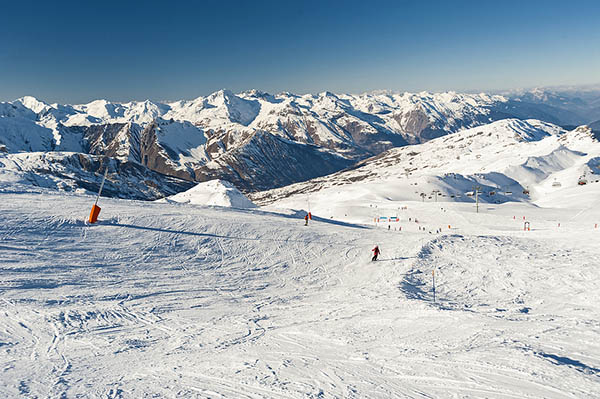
[{"x": 505, "y": 159}]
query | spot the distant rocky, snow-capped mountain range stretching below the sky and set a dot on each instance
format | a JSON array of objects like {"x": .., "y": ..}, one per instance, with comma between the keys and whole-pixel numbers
[{"x": 255, "y": 140}]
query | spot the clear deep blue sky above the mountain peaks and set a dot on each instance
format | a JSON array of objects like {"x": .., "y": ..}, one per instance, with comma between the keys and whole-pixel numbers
[{"x": 74, "y": 52}]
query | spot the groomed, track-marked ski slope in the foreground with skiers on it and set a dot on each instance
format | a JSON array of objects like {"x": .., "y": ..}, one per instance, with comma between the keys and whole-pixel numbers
[{"x": 182, "y": 301}]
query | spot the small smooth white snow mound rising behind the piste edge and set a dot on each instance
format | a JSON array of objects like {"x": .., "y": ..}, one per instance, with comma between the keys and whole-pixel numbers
[{"x": 214, "y": 192}]
